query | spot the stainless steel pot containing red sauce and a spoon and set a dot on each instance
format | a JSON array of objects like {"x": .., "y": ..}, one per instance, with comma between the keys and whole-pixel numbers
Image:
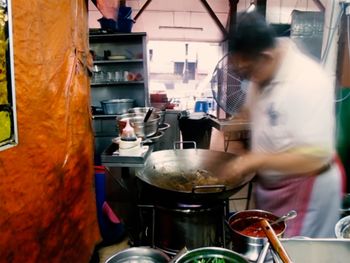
[{"x": 246, "y": 242}]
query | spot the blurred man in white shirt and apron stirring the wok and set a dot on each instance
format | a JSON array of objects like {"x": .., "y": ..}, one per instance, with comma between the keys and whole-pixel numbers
[{"x": 290, "y": 103}]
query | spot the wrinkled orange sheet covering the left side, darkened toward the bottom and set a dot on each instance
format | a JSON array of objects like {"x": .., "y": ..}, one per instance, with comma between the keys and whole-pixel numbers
[{"x": 47, "y": 204}]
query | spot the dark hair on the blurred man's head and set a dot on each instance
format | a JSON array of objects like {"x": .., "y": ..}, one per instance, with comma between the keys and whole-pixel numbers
[{"x": 251, "y": 35}]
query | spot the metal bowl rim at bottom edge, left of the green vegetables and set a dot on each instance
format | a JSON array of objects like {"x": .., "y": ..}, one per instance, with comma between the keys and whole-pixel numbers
[{"x": 139, "y": 255}]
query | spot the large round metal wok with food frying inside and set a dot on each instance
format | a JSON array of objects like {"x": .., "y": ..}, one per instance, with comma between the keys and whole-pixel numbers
[{"x": 173, "y": 175}]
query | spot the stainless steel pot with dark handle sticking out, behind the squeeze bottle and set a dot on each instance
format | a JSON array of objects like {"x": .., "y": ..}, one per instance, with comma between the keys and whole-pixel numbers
[{"x": 142, "y": 129}]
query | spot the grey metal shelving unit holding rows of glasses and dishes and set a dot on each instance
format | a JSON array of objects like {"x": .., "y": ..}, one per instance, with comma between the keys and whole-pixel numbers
[{"x": 116, "y": 56}]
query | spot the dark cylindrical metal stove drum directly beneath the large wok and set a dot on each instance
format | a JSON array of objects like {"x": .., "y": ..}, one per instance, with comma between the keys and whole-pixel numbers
[{"x": 188, "y": 225}]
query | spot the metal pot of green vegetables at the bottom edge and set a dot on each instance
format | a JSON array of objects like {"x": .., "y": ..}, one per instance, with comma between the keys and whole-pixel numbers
[{"x": 209, "y": 254}]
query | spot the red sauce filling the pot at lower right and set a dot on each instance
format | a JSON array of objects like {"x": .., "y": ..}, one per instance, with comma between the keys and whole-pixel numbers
[{"x": 251, "y": 227}]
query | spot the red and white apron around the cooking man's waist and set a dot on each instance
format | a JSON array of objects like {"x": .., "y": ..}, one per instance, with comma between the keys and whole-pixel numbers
[{"x": 316, "y": 199}]
